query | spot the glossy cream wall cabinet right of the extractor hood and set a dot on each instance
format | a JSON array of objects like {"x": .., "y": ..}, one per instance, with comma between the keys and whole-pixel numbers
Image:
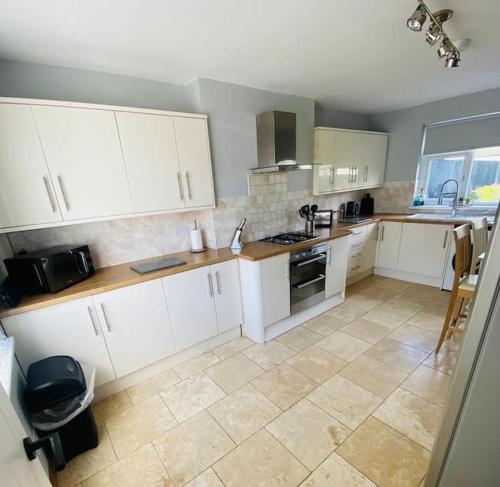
[{"x": 348, "y": 159}]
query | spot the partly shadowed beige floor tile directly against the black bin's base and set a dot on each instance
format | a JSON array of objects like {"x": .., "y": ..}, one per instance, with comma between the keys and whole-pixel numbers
[{"x": 87, "y": 464}]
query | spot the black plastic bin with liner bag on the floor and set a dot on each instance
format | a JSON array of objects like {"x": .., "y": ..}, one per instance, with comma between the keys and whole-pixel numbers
[{"x": 55, "y": 391}]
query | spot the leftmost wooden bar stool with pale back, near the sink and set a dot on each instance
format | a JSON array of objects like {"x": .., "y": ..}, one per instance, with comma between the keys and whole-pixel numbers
[{"x": 464, "y": 283}]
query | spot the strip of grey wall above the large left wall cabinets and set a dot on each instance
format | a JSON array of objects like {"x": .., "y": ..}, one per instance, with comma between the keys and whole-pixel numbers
[{"x": 31, "y": 80}]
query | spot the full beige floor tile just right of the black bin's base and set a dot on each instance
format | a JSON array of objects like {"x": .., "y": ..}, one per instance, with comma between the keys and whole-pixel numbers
[{"x": 139, "y": 425}]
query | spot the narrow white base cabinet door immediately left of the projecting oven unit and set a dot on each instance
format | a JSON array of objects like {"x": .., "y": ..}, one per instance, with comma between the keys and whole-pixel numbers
[{"x": 226, "y": 279}]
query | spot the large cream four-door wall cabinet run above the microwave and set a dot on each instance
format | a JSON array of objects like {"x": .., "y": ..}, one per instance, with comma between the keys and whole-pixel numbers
[{"x": 69, "y": 162}]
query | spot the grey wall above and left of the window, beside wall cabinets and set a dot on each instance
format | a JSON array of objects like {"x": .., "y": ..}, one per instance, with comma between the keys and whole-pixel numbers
[{"x": 405, "y": 127}]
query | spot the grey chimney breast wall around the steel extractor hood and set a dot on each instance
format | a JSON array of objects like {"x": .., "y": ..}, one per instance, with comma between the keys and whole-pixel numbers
[{"x": 232, "y": 110}]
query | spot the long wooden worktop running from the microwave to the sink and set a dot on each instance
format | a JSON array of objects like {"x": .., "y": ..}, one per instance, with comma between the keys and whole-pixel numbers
[{"x": 114, "y": 277}]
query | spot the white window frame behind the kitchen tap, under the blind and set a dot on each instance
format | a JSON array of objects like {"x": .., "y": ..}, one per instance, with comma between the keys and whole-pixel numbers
[{"x": 468, "y": 156}]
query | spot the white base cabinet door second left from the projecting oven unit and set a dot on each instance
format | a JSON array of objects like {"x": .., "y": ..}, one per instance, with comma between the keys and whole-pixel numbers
[{"x": 190, "y": 302}]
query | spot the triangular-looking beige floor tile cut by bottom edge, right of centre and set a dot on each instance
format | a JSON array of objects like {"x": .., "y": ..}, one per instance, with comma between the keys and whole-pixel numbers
[{"x": 336, "y": 472}]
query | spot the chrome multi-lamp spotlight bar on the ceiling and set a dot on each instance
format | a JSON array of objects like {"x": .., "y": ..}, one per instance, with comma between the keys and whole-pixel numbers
[{"x": 435, "y": 33}]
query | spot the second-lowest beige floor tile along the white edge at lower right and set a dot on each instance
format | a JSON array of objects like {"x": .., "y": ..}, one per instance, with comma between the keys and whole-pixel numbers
[{"x": 411, "y": 415}]
